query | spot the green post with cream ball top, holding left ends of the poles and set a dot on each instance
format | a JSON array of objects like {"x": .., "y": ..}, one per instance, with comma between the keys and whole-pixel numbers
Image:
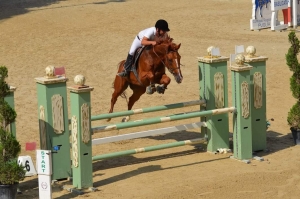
[{"x": 82, "y": 166}]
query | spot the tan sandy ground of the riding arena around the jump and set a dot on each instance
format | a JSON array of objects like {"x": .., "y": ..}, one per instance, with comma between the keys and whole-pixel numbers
[{"x": 90, "y": 37}]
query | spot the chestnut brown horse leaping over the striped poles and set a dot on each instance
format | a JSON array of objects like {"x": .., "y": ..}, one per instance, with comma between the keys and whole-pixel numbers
[{"x": 150, "y": 70}]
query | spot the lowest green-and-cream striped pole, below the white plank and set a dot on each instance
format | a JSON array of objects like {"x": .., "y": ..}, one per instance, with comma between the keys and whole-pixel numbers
[{"x": 149, "y": 148}]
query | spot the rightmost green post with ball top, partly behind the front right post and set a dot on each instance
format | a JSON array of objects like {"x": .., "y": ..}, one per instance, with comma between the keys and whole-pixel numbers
[{"x": 258, "y": 94}]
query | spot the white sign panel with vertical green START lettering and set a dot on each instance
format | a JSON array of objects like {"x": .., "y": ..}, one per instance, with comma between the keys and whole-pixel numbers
[{"x": 43, "y": 162}]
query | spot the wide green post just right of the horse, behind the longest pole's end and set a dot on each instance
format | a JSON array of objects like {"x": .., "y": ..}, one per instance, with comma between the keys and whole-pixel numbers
[{"x": 213, "y": 89}]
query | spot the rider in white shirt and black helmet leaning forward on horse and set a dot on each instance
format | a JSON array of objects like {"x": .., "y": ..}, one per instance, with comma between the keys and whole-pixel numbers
[{"x": 144, "y": 38}]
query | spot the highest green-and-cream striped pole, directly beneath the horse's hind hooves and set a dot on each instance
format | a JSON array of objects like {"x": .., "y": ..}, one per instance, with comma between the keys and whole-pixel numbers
[{"x": 147, "y": 110}]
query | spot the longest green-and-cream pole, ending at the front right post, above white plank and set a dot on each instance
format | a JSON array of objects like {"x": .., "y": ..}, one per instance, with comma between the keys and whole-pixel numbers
[{"x": 161, "y": 119}]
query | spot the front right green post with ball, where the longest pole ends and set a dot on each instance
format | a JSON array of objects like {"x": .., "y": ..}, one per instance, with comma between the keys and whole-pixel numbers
[{"x": 241, "y": 96}]
